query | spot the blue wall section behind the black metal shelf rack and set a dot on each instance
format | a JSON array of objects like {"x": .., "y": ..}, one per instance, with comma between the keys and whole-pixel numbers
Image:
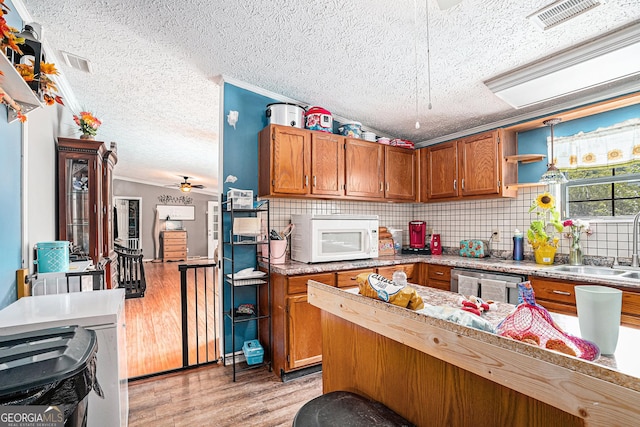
[{"x": 240, "y": 158}]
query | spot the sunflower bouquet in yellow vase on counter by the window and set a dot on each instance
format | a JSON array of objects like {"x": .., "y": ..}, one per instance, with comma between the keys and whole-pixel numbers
[{"x": 542, "y": 231}]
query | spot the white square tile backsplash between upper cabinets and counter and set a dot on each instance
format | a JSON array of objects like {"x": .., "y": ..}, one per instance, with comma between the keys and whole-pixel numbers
[{"x": 474, "y": 219}]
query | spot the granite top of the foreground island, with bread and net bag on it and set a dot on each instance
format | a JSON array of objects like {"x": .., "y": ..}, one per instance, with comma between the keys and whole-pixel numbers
[{"x": 620, "y": 368}]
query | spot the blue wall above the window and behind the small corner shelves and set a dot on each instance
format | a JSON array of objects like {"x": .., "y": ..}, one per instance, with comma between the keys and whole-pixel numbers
[{"x": 535, "y": 141}]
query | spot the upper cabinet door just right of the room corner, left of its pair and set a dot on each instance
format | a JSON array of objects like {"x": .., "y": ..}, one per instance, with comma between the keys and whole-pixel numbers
[{"x": 443, "y": 171}]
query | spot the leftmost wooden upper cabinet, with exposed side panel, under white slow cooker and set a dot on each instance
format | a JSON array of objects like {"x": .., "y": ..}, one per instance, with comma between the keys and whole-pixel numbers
[{"x": 285, "y": 161}]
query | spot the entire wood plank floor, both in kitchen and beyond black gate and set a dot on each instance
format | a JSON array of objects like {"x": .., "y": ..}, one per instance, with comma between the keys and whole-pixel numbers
[{"x": 205, "y": 396}]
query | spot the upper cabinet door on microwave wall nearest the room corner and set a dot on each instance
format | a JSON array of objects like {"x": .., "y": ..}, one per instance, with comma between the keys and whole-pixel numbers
[{"x": 400, "y": 173}]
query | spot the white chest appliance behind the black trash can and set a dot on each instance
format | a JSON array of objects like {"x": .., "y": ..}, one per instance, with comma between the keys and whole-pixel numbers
[{"x": 101, "y": 311}]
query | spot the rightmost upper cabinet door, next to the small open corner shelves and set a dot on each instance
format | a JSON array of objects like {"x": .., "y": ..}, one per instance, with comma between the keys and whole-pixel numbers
[{"x": 479, "y": 164}]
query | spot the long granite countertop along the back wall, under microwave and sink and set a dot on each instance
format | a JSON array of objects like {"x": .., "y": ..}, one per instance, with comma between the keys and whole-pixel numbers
[{"x": 529, "y": 268}]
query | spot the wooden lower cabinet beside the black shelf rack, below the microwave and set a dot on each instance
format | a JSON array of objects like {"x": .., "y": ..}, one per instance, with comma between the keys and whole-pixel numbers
[{"x": 297, "y": 337}]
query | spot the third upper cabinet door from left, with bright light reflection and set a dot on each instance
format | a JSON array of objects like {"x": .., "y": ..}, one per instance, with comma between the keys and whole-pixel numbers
[{"x": 364, "y": 169}]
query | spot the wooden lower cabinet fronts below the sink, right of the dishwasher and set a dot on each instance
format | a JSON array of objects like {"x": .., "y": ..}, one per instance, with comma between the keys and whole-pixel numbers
[{"x": 559, "y": 296}]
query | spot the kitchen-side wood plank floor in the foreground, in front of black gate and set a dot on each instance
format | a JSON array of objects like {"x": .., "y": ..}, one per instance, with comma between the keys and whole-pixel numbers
[{"x": 207, "y": 396}]
